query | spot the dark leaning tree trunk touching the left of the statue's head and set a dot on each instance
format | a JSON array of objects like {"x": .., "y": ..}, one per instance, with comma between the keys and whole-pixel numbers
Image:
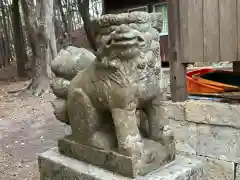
[{"x": 83, "y": 7}]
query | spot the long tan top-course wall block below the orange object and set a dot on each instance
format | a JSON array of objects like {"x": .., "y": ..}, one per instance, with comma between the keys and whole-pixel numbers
[{"x": 215, "y": 113}]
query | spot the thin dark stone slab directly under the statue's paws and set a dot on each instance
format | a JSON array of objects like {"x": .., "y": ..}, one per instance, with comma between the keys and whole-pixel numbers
[{"x": 156, "y": 157}]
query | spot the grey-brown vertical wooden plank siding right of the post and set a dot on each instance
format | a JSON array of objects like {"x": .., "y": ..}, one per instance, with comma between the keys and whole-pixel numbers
[{"x": 209, "y": 30}]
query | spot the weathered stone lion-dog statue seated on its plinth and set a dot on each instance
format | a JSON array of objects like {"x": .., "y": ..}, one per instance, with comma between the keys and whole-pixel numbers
[{"x": 108, "y": 102}]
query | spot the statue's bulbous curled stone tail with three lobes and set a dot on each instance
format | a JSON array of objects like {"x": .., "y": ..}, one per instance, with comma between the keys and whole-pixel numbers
[{"x": 68, "y": 63}]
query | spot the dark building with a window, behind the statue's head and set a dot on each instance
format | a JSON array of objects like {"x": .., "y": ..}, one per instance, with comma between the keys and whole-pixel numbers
[{"x": 121, "y": 6}]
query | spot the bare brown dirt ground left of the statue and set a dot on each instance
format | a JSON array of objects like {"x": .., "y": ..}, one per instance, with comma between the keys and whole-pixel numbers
[{"x": 27, "y": 127}]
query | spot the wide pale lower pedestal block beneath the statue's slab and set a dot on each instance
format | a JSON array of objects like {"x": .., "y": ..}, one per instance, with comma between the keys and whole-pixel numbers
[{"x": 55, "y": 166}]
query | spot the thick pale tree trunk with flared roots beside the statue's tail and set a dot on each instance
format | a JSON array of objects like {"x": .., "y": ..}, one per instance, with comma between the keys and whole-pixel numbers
[{"x": 37, "y": 24}]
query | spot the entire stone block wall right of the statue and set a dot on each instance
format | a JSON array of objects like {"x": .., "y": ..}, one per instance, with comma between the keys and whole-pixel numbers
[{"x": 209, "y": 131}]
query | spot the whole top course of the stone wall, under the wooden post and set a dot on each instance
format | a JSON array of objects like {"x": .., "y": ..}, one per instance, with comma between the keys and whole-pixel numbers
[{"x": 205, "y": 112}]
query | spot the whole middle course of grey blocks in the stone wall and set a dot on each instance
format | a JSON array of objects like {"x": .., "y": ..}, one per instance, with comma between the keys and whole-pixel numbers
[{"x": 205, "y": 140}]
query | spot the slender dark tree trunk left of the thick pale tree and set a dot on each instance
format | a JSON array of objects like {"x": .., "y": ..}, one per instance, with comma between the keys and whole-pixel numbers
[{"x": 19, "y": 44}]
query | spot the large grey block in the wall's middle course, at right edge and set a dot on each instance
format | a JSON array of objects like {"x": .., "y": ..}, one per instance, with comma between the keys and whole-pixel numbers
[{"x": 218, "y": 142}]
